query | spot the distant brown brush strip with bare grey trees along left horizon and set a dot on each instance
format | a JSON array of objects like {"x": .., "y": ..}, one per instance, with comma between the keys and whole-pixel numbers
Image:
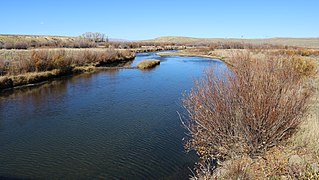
[{"x": 86, "y": 40}]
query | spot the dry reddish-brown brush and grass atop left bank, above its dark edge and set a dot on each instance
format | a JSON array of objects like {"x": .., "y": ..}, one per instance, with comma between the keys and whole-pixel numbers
[{"x": 15, "y": 62}]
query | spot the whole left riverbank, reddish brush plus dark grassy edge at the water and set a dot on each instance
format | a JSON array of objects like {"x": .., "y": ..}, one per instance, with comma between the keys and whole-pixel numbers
[{"x": 23, "y": 67}]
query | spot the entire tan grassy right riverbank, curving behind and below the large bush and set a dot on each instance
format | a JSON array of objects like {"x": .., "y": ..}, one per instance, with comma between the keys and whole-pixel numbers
[{"x": 296, "y": 158}]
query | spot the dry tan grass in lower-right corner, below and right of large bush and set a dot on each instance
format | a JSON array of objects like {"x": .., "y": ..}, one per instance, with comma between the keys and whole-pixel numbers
[{"x": 296, "y": 159}]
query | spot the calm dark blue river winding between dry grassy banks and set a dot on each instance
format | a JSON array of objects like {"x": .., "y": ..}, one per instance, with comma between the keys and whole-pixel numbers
[{"x": 117, "y": 124}]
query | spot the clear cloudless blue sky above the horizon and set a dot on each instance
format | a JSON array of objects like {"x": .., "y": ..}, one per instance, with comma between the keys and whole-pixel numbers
[{"x": 145, "y": 19}]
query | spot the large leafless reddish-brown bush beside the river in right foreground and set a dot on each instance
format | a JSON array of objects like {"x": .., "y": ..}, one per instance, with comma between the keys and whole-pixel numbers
[{"x": 247, "y": 111}]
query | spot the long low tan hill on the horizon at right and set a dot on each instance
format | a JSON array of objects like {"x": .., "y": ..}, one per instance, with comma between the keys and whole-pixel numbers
[{"x": 300, "y": 42}]
